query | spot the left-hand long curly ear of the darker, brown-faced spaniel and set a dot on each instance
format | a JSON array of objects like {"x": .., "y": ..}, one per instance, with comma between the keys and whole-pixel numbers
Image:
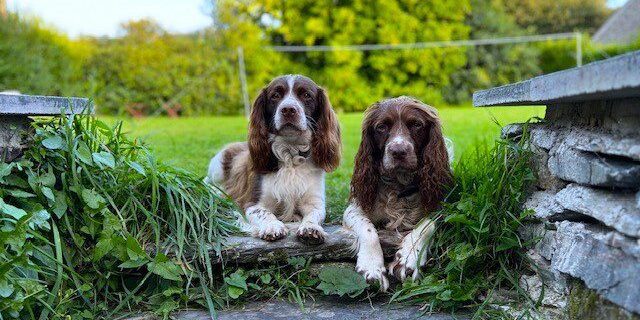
[{"x": 364, "y": 183}]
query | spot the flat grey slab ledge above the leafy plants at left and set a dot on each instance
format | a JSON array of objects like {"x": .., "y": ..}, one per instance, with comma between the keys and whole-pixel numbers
[{"x": 42, "y": 105}]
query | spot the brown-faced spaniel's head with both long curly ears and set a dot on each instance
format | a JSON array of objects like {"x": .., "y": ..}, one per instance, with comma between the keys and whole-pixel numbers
[{"x": 399, "y": 136}]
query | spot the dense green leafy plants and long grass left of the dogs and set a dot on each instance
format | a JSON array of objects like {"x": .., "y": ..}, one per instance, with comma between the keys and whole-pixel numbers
[{"x": 92, "y": 225}]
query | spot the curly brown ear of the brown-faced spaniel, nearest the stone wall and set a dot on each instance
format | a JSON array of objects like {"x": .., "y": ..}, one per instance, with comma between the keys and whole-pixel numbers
[{"x": 435, "y": 174}]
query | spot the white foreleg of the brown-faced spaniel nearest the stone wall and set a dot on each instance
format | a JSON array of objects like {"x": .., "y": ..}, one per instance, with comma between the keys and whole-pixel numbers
[{"x": 412, "y": 253}]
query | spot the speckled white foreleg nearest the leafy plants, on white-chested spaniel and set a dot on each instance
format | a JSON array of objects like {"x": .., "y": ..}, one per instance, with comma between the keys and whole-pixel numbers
[{"x": 265, "y": 224}]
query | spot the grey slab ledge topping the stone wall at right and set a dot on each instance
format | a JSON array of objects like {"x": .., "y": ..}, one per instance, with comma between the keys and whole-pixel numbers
[{"x": 614, "y": 78}]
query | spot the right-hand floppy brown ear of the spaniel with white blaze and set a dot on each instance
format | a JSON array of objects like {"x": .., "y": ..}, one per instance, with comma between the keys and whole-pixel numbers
[{"x": 326, "y": 144}]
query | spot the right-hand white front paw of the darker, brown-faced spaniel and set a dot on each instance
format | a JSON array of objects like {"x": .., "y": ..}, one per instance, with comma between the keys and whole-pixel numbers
[{"x": 407, "y": 261}]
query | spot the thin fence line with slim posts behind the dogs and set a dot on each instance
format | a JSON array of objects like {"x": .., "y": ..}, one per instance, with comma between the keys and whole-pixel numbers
[{"x": 408, "y": 46}]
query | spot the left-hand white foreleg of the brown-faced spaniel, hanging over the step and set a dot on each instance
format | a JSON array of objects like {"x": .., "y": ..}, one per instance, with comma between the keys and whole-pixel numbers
[{"x": 370, "y": 261}]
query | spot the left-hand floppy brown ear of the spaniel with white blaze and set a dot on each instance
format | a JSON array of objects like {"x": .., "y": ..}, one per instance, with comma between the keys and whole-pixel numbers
[{"x": 262, "y": 159}]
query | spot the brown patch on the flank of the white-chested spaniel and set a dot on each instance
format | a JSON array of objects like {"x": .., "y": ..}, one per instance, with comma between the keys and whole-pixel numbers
[{"x": 241, "y": 183}]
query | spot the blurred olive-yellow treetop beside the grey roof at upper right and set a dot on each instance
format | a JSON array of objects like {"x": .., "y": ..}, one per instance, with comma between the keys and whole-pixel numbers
[{"x": 551, "y": 16}]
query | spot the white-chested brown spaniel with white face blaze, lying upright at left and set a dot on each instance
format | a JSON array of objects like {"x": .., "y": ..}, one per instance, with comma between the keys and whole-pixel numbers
[{"x": 278, "y": 174}]
